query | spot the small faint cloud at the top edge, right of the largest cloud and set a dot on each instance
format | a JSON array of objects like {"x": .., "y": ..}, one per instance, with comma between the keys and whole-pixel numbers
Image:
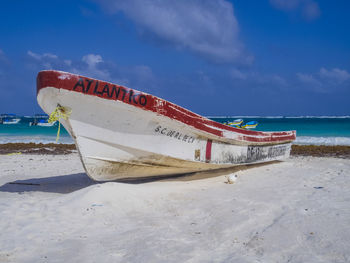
[{"x": 308, "y": 8}]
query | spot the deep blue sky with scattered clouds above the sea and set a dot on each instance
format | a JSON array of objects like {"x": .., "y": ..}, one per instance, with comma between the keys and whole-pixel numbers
[{"x": 214, "y": 57}]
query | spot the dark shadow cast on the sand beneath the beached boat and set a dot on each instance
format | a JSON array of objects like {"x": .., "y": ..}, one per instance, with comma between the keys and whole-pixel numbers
[{"x": 65, "y": 184}]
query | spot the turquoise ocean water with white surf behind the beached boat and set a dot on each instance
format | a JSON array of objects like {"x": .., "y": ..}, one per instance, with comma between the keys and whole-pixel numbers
[{"x": 310, "y": 130}]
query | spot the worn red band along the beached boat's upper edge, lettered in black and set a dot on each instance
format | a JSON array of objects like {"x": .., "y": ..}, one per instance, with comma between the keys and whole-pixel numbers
[{"x": 106, "y": 90}]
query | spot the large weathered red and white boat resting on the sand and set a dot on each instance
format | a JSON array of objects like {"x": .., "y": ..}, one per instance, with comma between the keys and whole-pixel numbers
[{"x": 124, "y": 133}]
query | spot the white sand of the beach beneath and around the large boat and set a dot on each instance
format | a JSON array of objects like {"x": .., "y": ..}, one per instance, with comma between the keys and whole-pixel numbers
[{"x": 272, "y": 213}]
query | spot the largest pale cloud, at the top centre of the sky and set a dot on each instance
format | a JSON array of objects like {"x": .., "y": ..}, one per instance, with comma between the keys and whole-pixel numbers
[{"x": 208, "y": 28}]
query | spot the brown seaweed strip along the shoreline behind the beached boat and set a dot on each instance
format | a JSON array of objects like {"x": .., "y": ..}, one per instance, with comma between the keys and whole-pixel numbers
[{"x": 337, "y": 151}]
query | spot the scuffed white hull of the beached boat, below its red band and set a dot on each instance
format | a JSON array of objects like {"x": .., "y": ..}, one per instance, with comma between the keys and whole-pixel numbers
[{"x": 118, "y": 140}]
